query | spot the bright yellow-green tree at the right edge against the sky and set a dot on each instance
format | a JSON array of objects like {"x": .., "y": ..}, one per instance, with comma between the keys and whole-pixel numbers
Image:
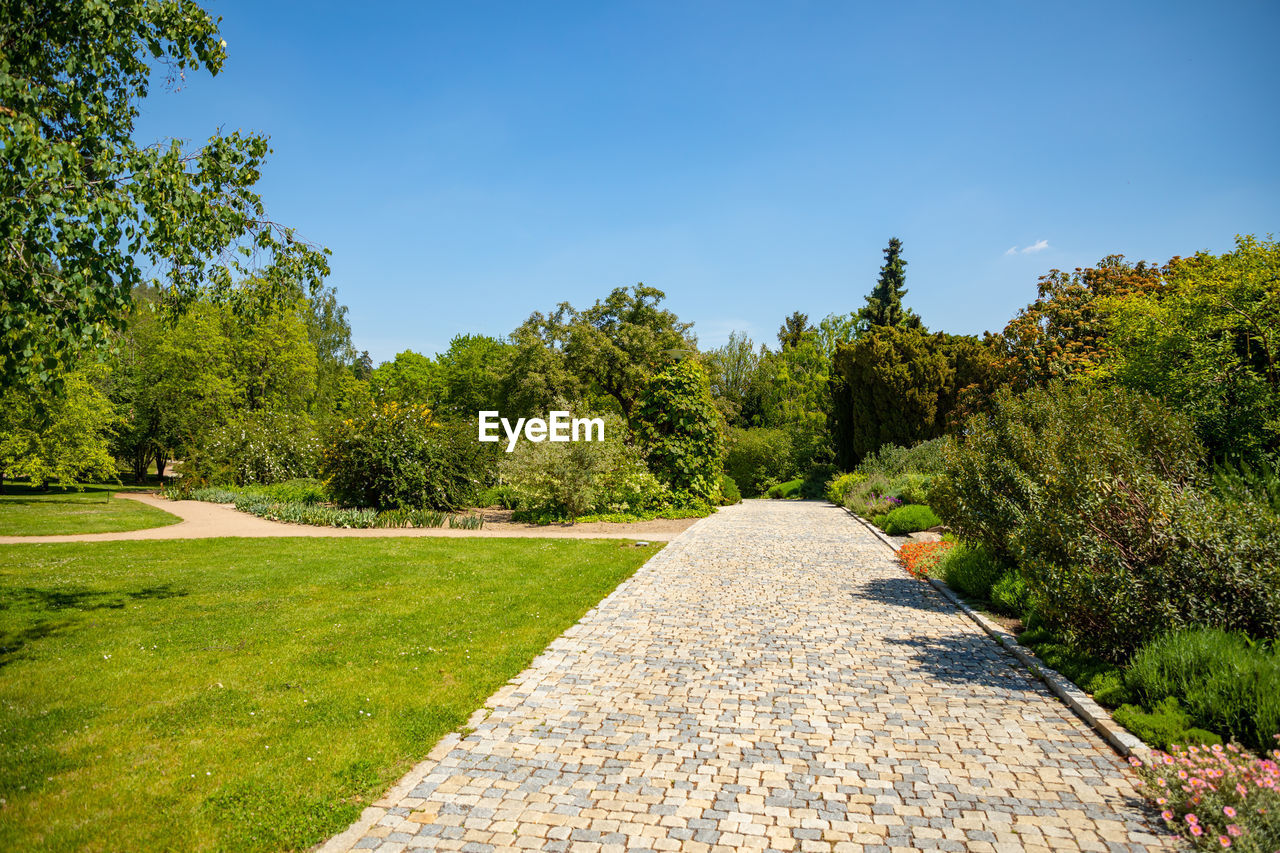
[{"x": 1208, "y": 345}]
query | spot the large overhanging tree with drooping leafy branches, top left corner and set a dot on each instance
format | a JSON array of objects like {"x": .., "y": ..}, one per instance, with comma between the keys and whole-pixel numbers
[{"x": 85, "y": 208}]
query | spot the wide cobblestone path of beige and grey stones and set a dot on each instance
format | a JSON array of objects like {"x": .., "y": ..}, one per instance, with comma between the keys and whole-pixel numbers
[{"x": 771, "y": 681}]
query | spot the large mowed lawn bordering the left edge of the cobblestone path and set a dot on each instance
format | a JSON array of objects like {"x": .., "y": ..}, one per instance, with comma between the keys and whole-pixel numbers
[{"x": 257, "y": 695}]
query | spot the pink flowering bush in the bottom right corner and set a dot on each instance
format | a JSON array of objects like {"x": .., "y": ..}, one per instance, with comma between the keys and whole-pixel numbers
[{"x": 1217, "y": 797}]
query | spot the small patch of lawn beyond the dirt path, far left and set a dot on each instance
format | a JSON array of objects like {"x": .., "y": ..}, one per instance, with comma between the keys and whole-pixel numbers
[{"x": 30, "y": 513}]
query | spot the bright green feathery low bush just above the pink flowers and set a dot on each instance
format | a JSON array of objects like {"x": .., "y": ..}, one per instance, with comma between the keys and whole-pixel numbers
[{"x": 1226, "y": 683}]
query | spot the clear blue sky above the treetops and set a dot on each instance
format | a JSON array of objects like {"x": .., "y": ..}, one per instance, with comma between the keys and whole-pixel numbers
[{"x": 472, "y": 163}]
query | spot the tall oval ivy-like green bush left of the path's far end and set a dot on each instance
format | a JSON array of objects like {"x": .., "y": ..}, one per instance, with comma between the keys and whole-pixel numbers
[{"x": 682, "y": 431}]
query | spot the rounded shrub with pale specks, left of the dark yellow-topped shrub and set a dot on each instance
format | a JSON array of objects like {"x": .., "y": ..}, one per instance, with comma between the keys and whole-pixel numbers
[{"x": 258, "y": 448}]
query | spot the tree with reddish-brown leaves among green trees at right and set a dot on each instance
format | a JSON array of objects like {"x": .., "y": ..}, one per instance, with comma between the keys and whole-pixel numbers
[{"x": 1063, "y": 335}]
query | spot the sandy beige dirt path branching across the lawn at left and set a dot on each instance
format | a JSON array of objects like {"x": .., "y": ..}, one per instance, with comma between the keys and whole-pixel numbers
[{"x": 202, "y": 521}]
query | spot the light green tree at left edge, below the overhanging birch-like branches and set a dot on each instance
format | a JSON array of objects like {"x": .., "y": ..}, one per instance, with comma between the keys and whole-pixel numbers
[{"x": 58, "y": 437}]
